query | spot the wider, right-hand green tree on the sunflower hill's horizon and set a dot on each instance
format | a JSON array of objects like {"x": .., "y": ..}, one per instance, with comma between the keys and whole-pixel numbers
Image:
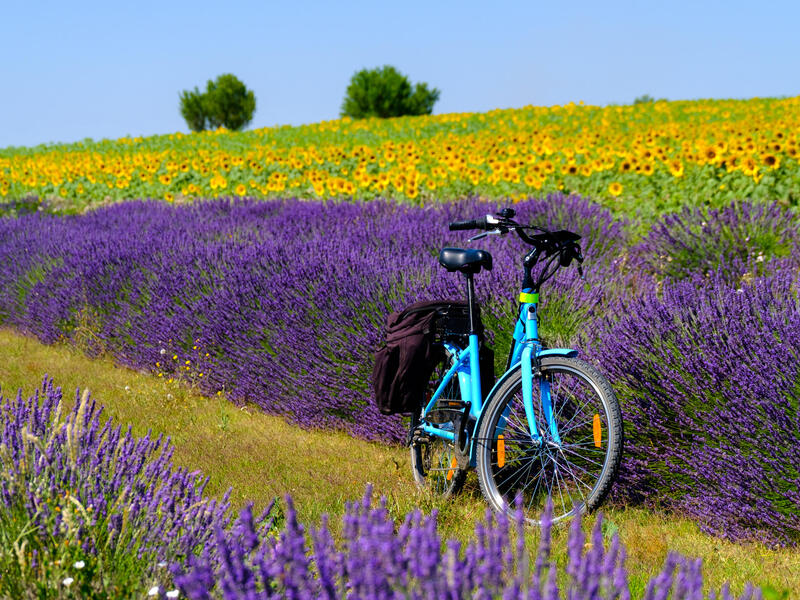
[{"x": 384, "y": 92}]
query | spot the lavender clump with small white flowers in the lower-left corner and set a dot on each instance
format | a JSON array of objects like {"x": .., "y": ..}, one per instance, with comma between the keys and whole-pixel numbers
[{"x": 89, "y": 508}]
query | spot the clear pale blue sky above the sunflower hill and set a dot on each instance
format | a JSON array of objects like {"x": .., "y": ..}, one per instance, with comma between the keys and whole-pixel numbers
[{"x": 78, "y": 69}]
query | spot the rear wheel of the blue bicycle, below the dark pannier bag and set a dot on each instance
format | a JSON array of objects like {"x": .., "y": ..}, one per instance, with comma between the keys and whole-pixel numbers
[{"x": 433, "y": 459}]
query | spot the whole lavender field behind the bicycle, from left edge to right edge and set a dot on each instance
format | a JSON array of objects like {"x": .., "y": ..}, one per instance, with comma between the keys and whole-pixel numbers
[{"x": 281, "y": 304}]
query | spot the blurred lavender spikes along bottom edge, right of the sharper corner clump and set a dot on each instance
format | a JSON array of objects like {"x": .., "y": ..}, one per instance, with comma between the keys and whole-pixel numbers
[{"x": 377, "y": 559}]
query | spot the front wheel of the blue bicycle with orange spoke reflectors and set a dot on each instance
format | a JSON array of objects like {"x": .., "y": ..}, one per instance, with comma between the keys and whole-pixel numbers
[{"x": 573, "y": 464}]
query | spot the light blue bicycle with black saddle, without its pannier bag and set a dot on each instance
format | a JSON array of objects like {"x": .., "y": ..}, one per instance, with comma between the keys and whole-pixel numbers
[{"x": 551, "y": 425}]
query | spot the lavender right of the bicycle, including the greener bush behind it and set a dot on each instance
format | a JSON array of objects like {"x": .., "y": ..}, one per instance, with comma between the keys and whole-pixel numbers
[{"x": 703, "y": 360}]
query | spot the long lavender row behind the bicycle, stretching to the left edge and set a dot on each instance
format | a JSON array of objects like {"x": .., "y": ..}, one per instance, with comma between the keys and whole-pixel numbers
[{"x": 279, "y": 303}]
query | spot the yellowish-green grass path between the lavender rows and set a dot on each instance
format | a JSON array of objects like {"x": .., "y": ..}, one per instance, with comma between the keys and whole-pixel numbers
[{"x": 261, "y": 456}]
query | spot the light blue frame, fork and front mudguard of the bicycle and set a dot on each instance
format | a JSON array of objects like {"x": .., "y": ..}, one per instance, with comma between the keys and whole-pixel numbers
[{"x": 526, "y": 345}]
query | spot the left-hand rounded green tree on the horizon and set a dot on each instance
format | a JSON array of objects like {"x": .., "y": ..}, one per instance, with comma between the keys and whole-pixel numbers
[{"x": 226, "y": 102}]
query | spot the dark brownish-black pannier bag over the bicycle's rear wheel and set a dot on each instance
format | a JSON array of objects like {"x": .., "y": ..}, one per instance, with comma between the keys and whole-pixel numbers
[{"x": 413, "y": 347}]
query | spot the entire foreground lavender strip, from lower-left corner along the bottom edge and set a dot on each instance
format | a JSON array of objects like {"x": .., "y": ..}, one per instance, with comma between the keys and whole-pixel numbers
[{"x": 97, "y": 513}]
